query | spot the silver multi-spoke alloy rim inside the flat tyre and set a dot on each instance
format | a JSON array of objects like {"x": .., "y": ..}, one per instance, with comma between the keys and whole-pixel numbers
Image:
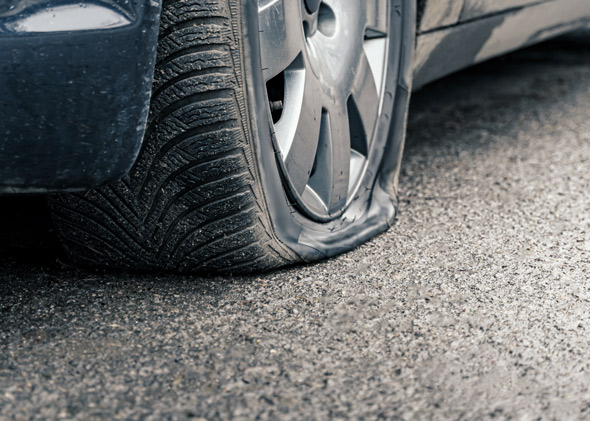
[{"x": 324, "y": 66}]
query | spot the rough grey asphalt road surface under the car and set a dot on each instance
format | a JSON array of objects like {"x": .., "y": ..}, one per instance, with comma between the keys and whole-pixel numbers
[{"x": 476, "y": 304}]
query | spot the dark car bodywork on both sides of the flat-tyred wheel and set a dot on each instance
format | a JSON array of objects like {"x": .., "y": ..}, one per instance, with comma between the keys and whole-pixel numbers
[{"x": 76, "y": 76}]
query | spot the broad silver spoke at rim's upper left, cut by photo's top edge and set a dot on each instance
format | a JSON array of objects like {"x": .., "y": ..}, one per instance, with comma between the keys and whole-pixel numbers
[{"x": 281, "y": 35}]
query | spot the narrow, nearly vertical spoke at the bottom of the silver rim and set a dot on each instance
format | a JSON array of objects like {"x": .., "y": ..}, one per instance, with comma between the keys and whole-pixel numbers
[{"x": 340, "y": 136}]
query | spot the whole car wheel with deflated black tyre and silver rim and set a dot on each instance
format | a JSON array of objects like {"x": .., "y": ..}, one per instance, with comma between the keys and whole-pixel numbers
[{"x": 275, "y": 135}]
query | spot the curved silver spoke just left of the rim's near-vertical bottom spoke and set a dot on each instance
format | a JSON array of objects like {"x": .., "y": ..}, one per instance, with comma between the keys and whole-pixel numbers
[{"x": 300, "y": 157}]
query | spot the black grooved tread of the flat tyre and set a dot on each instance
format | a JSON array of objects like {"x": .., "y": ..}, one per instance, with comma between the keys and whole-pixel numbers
[{"x": 192, "y": 202}]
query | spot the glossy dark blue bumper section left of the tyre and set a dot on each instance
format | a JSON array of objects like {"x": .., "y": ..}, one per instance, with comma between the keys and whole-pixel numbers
[{"x": 75, "y": 83}]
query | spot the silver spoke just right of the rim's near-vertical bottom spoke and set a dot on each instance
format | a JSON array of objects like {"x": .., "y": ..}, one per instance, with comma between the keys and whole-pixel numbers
[{"x": 366, "y": 99}]
